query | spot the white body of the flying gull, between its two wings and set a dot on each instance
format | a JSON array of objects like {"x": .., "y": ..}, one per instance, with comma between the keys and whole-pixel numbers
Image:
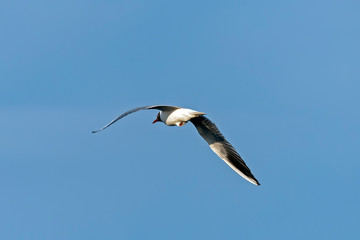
[{"x": 178, "y": 117}]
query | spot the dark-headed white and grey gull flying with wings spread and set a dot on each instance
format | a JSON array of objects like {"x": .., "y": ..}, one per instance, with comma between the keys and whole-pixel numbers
[{"x": 177, "y": 116}]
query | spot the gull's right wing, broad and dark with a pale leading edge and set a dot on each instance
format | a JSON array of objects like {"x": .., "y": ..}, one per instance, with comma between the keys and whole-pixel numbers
[{"x": 222, "y": 147}]
